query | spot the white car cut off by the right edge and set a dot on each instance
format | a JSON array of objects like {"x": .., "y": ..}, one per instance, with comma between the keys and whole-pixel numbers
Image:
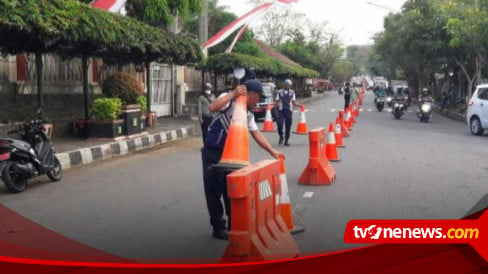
[{"x": 477, "y": 114}]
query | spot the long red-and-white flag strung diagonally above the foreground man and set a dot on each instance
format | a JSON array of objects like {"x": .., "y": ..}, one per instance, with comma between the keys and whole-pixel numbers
[{"x": 242, "y": 21}]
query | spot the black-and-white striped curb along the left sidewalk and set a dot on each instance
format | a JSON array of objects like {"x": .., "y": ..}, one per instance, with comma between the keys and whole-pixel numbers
[{"x": 107, "y": 151}]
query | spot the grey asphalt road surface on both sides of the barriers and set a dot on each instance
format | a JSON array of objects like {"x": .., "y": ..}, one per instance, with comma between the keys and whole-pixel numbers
[{"x": 151, "y": 205}]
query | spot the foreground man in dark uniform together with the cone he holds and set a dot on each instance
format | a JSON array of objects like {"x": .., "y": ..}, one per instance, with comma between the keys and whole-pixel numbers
[{"x": 227, "y": 139}]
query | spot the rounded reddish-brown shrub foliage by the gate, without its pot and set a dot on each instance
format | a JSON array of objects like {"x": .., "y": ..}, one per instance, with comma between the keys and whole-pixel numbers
[{"x": 124, "y": 86}]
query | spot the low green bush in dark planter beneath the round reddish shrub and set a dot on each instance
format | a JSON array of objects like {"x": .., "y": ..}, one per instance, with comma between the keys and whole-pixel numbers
[{"x": 105, "y": 122}]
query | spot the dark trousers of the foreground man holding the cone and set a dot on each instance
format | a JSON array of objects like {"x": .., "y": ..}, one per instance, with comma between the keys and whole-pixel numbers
[{"x": 215, "y": 186}]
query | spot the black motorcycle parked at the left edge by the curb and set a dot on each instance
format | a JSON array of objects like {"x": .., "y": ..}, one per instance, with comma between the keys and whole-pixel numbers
[{"x": 31, "y": 156}]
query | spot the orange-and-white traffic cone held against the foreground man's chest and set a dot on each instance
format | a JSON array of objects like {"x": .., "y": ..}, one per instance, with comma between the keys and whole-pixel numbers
[{"x": 236, "y": 150}]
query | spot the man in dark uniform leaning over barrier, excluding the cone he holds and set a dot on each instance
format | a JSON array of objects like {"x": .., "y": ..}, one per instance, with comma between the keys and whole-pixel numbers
[{"x": 214, "y": 180}]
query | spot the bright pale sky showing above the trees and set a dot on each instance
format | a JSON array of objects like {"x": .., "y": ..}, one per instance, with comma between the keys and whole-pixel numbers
[{"x": 356, "y": 21}]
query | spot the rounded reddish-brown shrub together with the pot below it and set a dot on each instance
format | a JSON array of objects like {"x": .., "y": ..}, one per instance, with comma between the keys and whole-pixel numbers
[{"x": 127, "y": 88}]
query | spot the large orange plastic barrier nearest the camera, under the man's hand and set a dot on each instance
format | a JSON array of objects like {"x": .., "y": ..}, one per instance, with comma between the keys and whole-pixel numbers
[{"x": 259, "y": 232}]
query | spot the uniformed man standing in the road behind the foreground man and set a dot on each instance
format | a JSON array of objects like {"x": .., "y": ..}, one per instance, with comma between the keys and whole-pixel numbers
[{"x": 286, "y": 100}]
